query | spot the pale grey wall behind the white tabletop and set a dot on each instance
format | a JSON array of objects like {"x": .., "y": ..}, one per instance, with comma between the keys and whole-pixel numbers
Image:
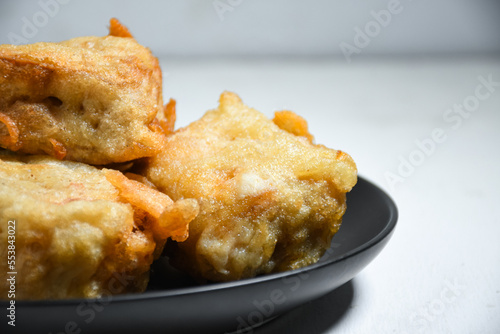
[{"x": 261, "y": 27}]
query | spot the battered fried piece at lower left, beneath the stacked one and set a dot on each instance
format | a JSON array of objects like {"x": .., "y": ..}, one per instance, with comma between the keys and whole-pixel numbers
[{"x": 81, "y": 231}]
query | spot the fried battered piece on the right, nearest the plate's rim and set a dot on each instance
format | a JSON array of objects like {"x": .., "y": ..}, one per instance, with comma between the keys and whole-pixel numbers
[{"x": 269, "y": 200}]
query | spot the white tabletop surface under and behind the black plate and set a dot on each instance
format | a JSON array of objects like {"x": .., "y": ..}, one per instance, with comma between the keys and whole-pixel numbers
[{"x": 440, "y": 273}]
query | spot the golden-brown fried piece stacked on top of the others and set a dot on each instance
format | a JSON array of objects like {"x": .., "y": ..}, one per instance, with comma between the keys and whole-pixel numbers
[{"x": 88, "y": 99}]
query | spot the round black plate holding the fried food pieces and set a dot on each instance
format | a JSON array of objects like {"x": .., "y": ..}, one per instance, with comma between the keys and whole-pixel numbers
[{"x": 180, "y": 306}]
